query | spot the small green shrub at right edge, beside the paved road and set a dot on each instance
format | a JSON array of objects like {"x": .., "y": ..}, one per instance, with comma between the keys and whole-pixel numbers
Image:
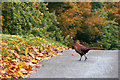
[{"x": 109, "y": 36}]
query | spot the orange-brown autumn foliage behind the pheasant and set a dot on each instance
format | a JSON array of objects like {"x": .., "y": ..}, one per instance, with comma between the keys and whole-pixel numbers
[{"x": 87, "y": 20}]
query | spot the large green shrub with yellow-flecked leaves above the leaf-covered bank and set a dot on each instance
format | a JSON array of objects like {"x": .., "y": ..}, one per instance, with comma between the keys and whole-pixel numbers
[{"x": 26, "y": 18}]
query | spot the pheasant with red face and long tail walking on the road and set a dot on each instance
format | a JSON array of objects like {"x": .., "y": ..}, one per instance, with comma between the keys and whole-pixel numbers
[{"x": 80, "y": 49}]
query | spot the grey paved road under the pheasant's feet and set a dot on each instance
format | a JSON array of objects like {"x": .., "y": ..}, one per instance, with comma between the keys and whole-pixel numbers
[{"x": 100, "y": 64}]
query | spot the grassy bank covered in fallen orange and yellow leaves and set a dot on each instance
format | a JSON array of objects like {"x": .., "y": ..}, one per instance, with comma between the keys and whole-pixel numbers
[{"x": 20, "y": 55}]
